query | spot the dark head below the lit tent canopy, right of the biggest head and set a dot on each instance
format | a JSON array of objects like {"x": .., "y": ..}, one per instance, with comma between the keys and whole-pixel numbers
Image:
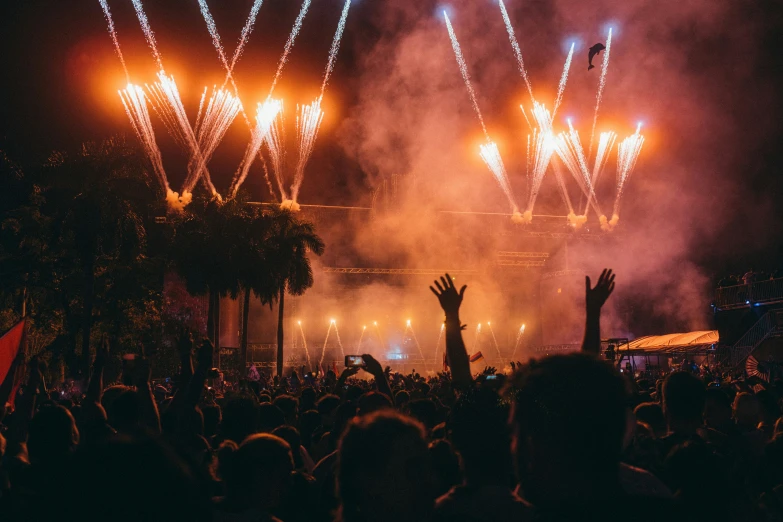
[{"x": 683, "y": 402}]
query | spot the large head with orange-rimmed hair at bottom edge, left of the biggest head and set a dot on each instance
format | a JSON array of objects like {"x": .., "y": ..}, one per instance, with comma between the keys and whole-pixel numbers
[{"x": 384, "y": 470}]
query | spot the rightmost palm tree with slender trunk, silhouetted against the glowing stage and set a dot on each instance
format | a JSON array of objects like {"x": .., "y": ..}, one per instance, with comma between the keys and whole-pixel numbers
[{"x": 287, "y": 249}]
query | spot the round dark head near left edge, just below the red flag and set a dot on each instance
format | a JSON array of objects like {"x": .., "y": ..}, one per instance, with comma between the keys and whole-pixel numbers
[{"x": 52, "y": 435}]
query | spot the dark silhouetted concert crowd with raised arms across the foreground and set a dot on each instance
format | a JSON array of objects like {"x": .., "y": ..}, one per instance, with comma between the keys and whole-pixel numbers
[{"x": 564, "y": 438}]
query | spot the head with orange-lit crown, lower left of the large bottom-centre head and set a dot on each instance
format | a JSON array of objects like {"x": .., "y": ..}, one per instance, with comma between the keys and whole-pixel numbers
[{"x": 257, "y": 473}]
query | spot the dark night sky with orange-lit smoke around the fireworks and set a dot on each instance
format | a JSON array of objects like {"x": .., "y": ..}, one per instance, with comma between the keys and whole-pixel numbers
[{"x": 708, "y": 77}]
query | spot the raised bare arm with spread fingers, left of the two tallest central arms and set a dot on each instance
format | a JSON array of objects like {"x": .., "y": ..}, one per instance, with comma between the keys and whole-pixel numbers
[{"x": 450, "y": 300}]
